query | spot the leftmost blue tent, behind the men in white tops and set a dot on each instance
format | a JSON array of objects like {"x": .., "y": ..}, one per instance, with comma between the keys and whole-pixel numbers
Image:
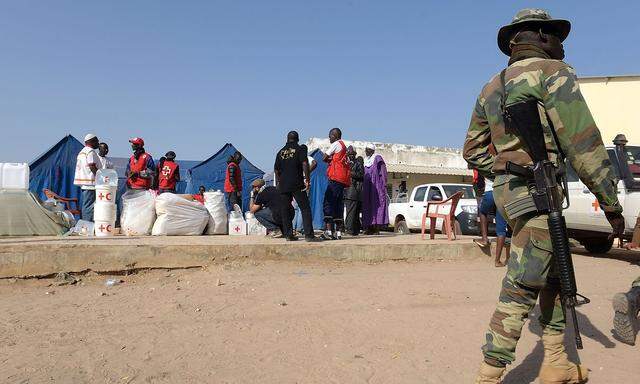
[{"x": 56, "y": 168}]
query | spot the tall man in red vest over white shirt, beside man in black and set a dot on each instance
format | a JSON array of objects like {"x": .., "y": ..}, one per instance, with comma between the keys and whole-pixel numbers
[{"x": 339, "y": 173}]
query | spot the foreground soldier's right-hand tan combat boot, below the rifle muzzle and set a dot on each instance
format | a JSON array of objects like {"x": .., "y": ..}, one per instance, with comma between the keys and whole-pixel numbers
[{"x": 556, "y": 367}]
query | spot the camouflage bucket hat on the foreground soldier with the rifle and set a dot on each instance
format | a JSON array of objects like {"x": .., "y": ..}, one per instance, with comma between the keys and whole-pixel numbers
[{"x": 530, "y": 16}]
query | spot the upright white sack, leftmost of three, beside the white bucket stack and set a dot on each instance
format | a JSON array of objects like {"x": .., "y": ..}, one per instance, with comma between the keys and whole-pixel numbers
[{"x": 138, "y": 212}]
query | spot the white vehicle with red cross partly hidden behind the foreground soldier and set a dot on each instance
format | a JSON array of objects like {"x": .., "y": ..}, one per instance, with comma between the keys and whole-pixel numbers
[{"x": 586, "y": 222}]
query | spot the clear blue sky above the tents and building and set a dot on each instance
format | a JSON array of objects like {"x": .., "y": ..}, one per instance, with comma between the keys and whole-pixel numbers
[{"x": 190, "y": 76}]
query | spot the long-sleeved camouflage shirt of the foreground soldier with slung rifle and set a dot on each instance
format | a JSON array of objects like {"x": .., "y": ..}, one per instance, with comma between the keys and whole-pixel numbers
[{"x": 555, "y": 84}]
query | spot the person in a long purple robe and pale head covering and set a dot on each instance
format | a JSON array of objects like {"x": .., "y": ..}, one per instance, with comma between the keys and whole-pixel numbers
[{"x": 374, "y": 192}]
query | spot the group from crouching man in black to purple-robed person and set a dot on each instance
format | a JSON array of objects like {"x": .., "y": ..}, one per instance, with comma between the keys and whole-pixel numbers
[{"x": 355, "y": 198}]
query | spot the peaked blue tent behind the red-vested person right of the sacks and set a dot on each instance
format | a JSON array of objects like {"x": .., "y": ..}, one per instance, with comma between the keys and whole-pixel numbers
[{"x": 211, "y": 173}]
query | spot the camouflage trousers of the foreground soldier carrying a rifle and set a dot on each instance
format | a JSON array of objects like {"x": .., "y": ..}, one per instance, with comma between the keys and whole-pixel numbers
[{"x": 531, "y": 276}]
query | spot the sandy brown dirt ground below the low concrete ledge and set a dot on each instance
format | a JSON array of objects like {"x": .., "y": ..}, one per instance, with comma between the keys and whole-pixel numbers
[{"x": 394, "y": 322}]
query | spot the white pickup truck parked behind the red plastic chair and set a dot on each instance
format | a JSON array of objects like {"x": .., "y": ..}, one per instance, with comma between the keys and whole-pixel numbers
[{"x": 406, "y": 215}]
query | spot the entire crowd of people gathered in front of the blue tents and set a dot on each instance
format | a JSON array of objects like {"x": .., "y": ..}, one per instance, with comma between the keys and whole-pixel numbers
[{"x": 355, "y": 183}]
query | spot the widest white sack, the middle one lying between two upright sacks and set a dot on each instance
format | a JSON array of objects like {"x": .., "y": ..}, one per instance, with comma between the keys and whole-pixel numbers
[{"x": 179, "y": 217}]
